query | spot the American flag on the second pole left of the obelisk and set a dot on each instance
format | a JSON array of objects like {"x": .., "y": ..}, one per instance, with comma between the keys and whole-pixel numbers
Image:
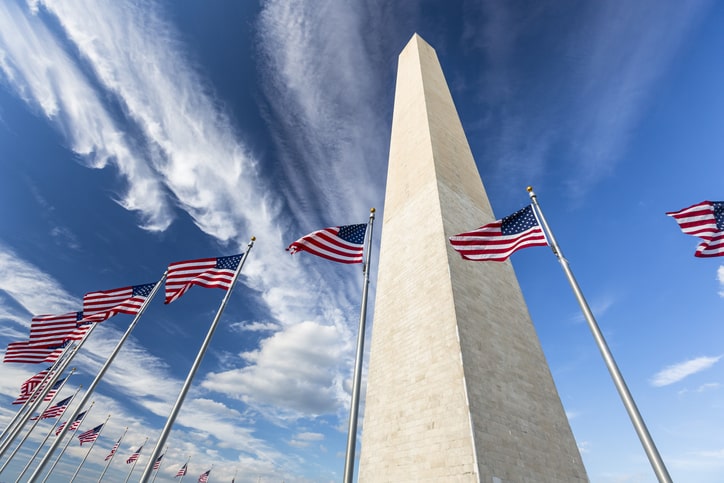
[{"x": 204, "y": 272}]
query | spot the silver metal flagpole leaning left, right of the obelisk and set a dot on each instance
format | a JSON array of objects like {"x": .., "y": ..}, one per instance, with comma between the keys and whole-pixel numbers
[{"x": 651, "y": 452}]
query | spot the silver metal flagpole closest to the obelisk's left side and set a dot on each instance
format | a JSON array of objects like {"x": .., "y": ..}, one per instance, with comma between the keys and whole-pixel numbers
[{"x": 357, "y": 381}]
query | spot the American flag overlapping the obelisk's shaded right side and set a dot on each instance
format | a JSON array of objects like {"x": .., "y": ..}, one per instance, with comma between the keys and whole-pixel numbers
[{"x": 498, "y": 240}]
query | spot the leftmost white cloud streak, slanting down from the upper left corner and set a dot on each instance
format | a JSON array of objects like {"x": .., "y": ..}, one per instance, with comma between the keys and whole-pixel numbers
[{"x": 43, "y": 74}]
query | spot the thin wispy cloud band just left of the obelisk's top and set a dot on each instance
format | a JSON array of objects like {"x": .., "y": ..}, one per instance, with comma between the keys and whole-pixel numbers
[{"x": 324, "y": 90}]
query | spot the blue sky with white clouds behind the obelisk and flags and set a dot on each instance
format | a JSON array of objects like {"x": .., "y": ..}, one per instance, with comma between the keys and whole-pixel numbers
[{"x": 137, "y": 134}]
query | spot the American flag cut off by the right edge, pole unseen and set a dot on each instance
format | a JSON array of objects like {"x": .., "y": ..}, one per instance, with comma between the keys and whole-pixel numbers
[{"x": 706, "y": 221}]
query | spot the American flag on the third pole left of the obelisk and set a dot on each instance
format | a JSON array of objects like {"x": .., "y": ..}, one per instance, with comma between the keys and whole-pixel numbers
[{"x": 102, "y": 305}]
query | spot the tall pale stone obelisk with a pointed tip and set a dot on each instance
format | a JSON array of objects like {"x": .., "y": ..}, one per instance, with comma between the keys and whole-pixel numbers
[{"x": 458, "y": 387}]
